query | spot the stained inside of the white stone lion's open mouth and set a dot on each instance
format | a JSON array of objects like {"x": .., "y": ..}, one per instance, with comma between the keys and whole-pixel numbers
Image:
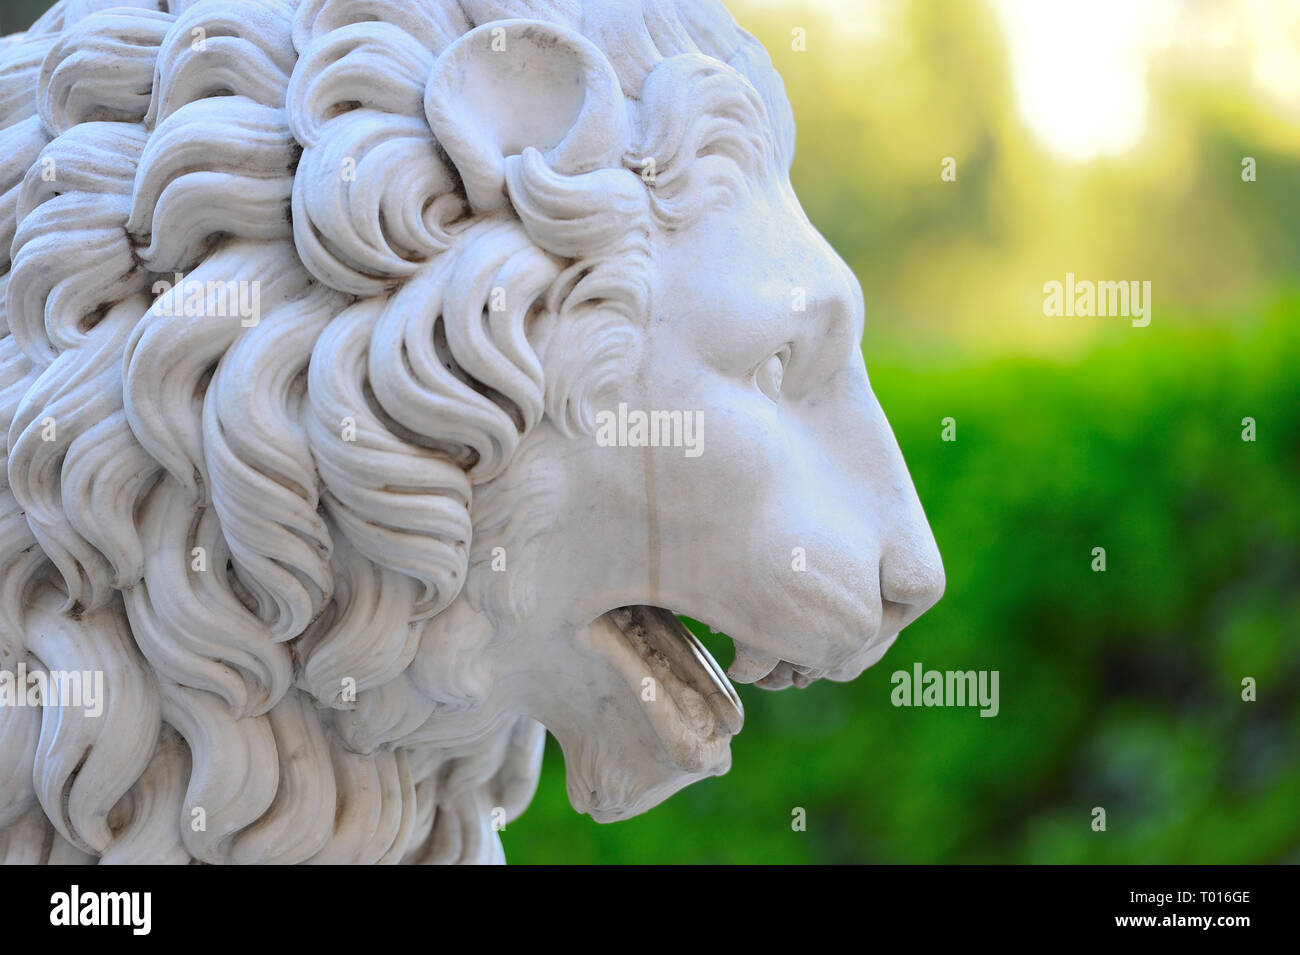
[{"x": 666, "y": 665}]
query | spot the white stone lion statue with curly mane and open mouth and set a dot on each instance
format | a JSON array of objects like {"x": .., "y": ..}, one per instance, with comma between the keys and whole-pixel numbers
[{"x": 313, "y": 314}]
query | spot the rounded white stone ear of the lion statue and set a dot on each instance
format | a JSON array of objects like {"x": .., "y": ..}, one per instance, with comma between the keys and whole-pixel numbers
[{"x": 517, "y": 84}]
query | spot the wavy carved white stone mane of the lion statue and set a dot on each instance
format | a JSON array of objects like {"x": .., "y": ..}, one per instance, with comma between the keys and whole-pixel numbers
[{"x": 240, "y": 519}]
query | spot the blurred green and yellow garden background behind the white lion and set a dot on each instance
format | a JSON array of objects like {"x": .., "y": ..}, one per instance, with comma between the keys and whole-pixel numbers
[{"x": 1104, "y": 138}]
